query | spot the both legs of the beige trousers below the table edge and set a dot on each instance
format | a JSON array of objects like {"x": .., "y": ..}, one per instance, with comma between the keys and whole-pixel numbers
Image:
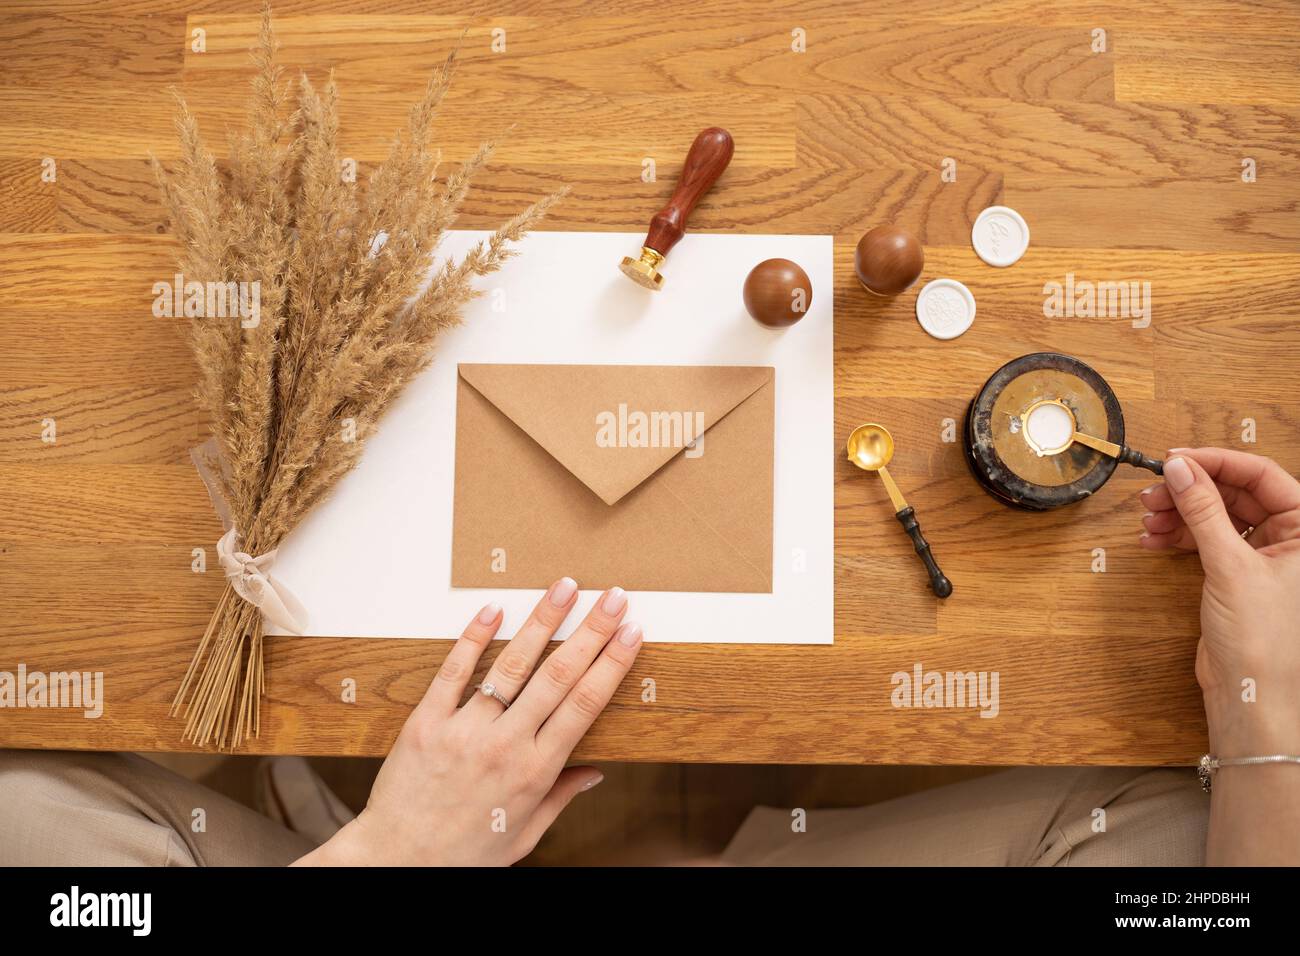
[{"x": 98, "y": 810}]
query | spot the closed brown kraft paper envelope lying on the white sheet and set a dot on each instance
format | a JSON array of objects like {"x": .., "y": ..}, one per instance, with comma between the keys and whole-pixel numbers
[{"x": 582, "y": 471}]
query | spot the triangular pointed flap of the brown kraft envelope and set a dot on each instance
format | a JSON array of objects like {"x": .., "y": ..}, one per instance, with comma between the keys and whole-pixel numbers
[{"x": 614, "y": 426}]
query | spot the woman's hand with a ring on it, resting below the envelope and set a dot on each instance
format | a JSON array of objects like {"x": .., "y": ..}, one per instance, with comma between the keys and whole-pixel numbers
[{"x": 479, "y": 785}]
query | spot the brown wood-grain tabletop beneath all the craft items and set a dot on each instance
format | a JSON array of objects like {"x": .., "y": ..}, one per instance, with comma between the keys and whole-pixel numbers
[{"x": 1126, "y": 163}]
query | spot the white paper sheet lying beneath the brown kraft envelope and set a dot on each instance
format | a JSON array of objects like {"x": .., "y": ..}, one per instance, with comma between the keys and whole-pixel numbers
[{"x": 375, "y": 560}]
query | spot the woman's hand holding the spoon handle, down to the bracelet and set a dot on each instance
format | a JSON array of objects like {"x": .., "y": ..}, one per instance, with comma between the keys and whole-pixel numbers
[{"x": 1251, "y": 600}]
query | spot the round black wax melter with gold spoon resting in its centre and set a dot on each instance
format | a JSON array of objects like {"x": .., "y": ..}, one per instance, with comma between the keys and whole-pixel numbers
[{"x": 1047, "y": 431}]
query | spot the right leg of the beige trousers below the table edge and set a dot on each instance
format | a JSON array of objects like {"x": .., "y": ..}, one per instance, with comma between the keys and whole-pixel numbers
[{"x": 1028, "y": 817}]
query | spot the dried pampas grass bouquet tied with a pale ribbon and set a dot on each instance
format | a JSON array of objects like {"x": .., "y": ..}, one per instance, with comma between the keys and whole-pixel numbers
[{"x": 340, "y": 308}]
